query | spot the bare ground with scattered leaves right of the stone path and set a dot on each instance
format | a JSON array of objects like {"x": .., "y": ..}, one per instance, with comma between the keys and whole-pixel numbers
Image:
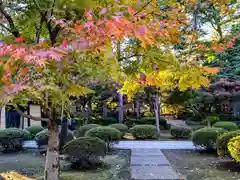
[{"x": 201, "y": 165}]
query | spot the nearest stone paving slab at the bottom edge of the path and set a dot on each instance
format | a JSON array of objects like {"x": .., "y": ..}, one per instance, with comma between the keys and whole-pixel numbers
[{"x": 153, "y": 173}]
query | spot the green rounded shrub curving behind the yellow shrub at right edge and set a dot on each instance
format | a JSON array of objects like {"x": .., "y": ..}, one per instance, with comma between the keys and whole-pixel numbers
[{"x": 222, "y": 142}]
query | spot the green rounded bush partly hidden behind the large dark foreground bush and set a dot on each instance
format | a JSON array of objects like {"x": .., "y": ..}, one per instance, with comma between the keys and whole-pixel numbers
[{"x": 107, "y": 134}]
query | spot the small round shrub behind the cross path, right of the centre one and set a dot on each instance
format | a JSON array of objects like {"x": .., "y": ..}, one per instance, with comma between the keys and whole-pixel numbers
[{"x": 180, "y": 132}]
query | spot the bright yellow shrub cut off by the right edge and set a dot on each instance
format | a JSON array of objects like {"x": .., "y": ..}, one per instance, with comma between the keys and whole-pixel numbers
[{"x": 234, "y": 148}]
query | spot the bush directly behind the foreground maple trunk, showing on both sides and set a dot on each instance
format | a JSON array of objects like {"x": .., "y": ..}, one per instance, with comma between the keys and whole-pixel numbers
[{"x": 42, "y": 137}]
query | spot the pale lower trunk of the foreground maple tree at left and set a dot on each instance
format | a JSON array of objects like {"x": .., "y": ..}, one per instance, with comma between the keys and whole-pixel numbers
[{"x": 51, "y": 171}]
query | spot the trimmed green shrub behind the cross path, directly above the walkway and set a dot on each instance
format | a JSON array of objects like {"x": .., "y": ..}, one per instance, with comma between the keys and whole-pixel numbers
[{"x": 144, "y": 131}]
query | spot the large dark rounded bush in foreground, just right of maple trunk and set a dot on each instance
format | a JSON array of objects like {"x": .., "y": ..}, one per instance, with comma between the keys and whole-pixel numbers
[{"x": 85, "y": 152}]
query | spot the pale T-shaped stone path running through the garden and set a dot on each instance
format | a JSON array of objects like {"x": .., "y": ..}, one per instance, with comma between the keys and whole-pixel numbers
[{"x": 149, "y": 163}]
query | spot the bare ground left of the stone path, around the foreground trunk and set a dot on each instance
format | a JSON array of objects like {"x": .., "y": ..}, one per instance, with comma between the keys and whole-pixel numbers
[{"x": 31, "y": 164}]
